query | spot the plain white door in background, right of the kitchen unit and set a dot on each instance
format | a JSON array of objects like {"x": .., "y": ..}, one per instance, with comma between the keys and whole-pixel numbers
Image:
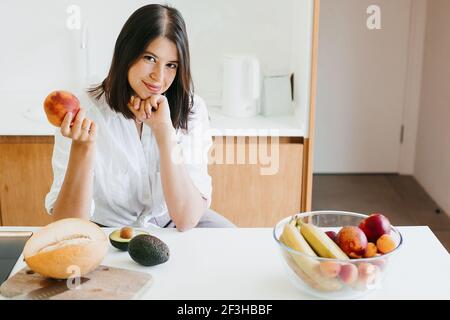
[{"x": 361, "y": 86}]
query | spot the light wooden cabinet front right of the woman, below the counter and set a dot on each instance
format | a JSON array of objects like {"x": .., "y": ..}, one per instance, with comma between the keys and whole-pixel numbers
[{"x": 246, "y": 196}]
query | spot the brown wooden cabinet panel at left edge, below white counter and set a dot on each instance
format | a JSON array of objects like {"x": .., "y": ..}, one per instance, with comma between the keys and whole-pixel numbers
[{"x": 25, "y": 178}]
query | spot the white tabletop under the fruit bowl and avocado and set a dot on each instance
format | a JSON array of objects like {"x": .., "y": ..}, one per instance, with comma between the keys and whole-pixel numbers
[{"x": 244, "y": 263}]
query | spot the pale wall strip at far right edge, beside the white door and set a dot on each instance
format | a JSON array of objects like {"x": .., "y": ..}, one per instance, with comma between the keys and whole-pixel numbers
[{"x": 432, "y": 167}]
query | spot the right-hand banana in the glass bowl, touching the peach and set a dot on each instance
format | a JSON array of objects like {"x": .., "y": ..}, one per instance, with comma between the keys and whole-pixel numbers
[{"x": 323, "y": 245}]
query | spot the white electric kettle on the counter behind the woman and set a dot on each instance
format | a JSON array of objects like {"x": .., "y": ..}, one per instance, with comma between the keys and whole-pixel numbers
[{"x": 241, "y": 86}]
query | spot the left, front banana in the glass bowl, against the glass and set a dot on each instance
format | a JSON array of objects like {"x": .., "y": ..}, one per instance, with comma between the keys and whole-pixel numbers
[{"x": 306, "y": 268}]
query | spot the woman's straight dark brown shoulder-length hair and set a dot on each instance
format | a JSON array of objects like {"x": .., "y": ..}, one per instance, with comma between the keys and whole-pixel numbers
[{"x": 142, "y": 27}]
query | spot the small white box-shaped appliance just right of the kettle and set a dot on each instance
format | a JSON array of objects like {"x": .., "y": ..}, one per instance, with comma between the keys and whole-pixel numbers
[{"x": 277, "y": 95}]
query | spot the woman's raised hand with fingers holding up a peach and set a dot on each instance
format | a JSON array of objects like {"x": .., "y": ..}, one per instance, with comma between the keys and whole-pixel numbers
[{"x": 82, "y": 130}]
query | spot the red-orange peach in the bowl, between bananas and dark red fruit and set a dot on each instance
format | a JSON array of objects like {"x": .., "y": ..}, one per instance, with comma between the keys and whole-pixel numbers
[{"x": 352, "y": 241}]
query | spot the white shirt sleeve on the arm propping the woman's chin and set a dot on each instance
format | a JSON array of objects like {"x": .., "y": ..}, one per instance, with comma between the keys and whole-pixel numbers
[{"x": 195, "y": 145}]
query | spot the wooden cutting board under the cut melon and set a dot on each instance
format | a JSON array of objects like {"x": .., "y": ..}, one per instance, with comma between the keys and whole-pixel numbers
[{"x": 105, "y": 283}]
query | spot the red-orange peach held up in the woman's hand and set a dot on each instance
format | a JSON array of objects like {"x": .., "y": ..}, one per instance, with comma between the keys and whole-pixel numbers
[{"x": 58, "y": 103}]
